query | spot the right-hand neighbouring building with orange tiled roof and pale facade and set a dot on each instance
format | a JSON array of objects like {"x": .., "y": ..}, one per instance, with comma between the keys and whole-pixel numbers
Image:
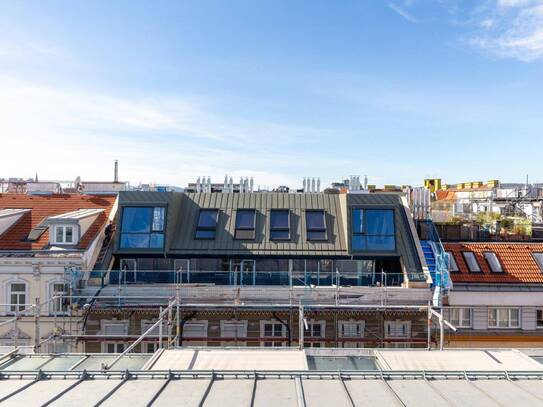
[{"x": 497, "y": 299}]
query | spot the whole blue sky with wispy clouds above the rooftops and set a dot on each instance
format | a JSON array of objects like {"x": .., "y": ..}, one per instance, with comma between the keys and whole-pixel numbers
[{"x": 399, "y": 90}]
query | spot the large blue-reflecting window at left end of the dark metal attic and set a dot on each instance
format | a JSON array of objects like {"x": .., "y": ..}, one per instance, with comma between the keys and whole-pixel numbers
[{"x": 142, "y": 228}]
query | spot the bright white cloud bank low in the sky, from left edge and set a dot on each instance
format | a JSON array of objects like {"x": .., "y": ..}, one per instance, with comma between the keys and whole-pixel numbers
[{"x": 61, "y": 132}]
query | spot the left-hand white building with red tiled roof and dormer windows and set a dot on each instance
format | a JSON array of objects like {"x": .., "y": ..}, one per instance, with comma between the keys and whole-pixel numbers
[{"x": 47, "y": 245}]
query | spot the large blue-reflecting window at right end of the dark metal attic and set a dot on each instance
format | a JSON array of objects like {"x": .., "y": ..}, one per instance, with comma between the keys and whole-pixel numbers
[{"x": 373, "y": 230}]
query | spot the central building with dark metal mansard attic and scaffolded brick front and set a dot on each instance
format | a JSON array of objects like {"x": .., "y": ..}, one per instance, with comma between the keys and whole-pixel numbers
[{"x": 250, "y": 269}]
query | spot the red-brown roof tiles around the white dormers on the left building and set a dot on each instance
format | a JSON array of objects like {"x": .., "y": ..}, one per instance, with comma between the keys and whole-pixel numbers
[{"x": 44, "y": 206}]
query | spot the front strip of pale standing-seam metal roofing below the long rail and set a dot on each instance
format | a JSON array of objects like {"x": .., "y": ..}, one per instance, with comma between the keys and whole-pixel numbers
[{"x": 315, "y": 389}]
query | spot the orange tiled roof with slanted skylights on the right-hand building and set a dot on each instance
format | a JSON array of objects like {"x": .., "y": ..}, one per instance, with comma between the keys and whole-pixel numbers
[{"x": 516, "y": 259}]
